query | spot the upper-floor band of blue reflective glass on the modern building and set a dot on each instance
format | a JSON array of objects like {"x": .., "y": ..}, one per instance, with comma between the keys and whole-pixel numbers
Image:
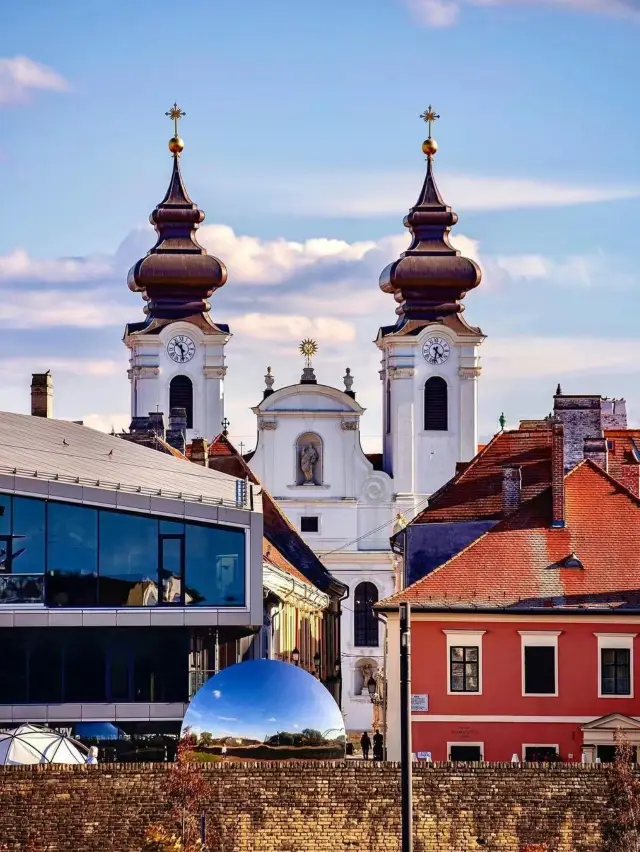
[{"x": 67, "y": 555}]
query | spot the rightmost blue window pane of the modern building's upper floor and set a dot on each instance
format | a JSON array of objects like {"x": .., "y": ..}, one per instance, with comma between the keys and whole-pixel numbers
[{"x": 215, "y": 566}]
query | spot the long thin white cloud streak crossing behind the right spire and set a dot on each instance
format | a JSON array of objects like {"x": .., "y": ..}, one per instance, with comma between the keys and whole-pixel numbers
[{"x": 369, "y": 195}]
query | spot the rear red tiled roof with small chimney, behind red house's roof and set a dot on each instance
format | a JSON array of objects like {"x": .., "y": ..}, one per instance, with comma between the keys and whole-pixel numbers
[{"x": 475, "y": 493}]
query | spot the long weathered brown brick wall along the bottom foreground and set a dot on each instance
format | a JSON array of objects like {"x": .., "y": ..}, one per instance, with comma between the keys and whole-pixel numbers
[{"x": 312, "y": 807}]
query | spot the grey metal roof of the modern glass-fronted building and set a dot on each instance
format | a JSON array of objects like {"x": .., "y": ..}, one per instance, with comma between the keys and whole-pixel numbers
[{"x": 60, "y": 450}]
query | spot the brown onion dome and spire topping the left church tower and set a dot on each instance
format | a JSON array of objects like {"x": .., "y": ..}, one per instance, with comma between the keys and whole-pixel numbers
[{"x": 177, "y": 276}]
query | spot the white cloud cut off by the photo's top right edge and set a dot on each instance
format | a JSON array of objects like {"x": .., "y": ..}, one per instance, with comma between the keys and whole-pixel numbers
[{"x": 445, "y": 13}]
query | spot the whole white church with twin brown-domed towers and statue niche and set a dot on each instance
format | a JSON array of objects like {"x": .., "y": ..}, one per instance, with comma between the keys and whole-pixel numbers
[{"x": 345, "y": 503}]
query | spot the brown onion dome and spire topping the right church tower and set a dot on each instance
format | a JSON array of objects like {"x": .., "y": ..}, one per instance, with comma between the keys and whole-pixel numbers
[{"x": 430, "y": 279}]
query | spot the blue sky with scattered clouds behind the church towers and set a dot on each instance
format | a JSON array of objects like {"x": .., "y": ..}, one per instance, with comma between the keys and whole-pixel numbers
[{"x": 303, "y": 138}]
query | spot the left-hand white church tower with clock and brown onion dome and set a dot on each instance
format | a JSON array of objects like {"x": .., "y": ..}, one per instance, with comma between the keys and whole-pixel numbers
[{"x": 177, "y": 353}]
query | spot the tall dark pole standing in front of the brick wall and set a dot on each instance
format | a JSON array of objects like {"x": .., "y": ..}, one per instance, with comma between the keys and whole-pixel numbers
[{"x": 405, "y": 727}]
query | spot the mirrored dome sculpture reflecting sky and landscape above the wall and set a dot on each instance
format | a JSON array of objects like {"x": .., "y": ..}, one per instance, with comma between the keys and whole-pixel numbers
[{"x": 264, "y": 710}]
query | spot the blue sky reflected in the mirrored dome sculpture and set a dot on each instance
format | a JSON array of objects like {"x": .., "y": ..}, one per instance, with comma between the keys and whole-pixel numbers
[{"x": 260, "y": 698}]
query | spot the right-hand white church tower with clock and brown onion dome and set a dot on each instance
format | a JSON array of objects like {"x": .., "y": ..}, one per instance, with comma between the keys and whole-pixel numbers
[{"x": 430, "y": 361}]
